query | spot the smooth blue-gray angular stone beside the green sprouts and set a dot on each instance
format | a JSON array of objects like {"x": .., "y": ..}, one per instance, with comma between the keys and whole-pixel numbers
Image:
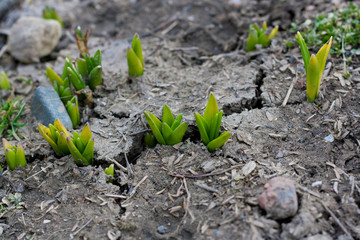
[{"x": 47, "y": 106}]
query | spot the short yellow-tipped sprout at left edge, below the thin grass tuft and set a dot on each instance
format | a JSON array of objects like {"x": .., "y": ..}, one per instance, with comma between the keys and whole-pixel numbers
[{"x": 14, "y": 154}]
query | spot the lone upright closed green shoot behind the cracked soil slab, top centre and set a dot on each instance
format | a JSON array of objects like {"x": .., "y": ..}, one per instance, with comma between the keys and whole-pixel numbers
[{"x": 135, "y": 58}]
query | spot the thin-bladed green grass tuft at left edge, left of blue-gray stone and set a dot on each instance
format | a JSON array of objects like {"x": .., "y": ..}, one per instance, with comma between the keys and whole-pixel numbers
[{"x": 10, "y": 113}]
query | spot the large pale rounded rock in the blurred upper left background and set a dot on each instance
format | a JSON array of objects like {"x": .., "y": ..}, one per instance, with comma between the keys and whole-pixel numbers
[{"x": 31, "y": 38}]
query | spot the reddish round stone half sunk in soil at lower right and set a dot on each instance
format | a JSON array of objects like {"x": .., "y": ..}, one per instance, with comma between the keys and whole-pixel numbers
[{"x": 279, "y": 198}]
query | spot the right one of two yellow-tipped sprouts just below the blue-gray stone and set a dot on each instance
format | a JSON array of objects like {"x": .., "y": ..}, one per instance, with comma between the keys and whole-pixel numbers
[{"x": 81, "y": 146}]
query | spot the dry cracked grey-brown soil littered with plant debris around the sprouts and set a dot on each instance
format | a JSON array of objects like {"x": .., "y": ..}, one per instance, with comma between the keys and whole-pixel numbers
[{"x": 191, "y": 48}]
